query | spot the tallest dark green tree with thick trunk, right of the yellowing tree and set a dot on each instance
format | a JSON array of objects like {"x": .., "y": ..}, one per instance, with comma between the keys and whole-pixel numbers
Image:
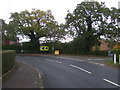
[{"x": 88, "y": 21}]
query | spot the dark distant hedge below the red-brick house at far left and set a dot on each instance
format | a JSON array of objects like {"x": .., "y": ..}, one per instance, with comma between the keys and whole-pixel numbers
[{"x": 15, "y": 47}]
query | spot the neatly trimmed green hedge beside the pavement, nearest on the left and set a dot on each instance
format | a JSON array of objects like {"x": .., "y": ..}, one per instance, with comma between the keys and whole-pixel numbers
[{"x": 8, "y": 60}]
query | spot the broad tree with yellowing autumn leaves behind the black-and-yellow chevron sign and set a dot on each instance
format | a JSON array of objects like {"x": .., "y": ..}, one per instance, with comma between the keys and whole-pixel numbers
[{"x": 35, "y": 24}]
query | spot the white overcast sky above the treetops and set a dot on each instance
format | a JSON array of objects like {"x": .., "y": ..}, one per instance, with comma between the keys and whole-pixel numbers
[{"x": 59, "y": 8}]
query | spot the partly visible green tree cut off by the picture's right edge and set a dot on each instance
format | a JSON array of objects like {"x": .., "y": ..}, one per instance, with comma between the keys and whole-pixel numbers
[{"x": 112, "y": 33}]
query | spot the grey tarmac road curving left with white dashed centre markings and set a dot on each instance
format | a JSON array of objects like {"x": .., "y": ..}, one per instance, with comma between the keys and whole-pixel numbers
[{"x": 62, "y": 72}]
